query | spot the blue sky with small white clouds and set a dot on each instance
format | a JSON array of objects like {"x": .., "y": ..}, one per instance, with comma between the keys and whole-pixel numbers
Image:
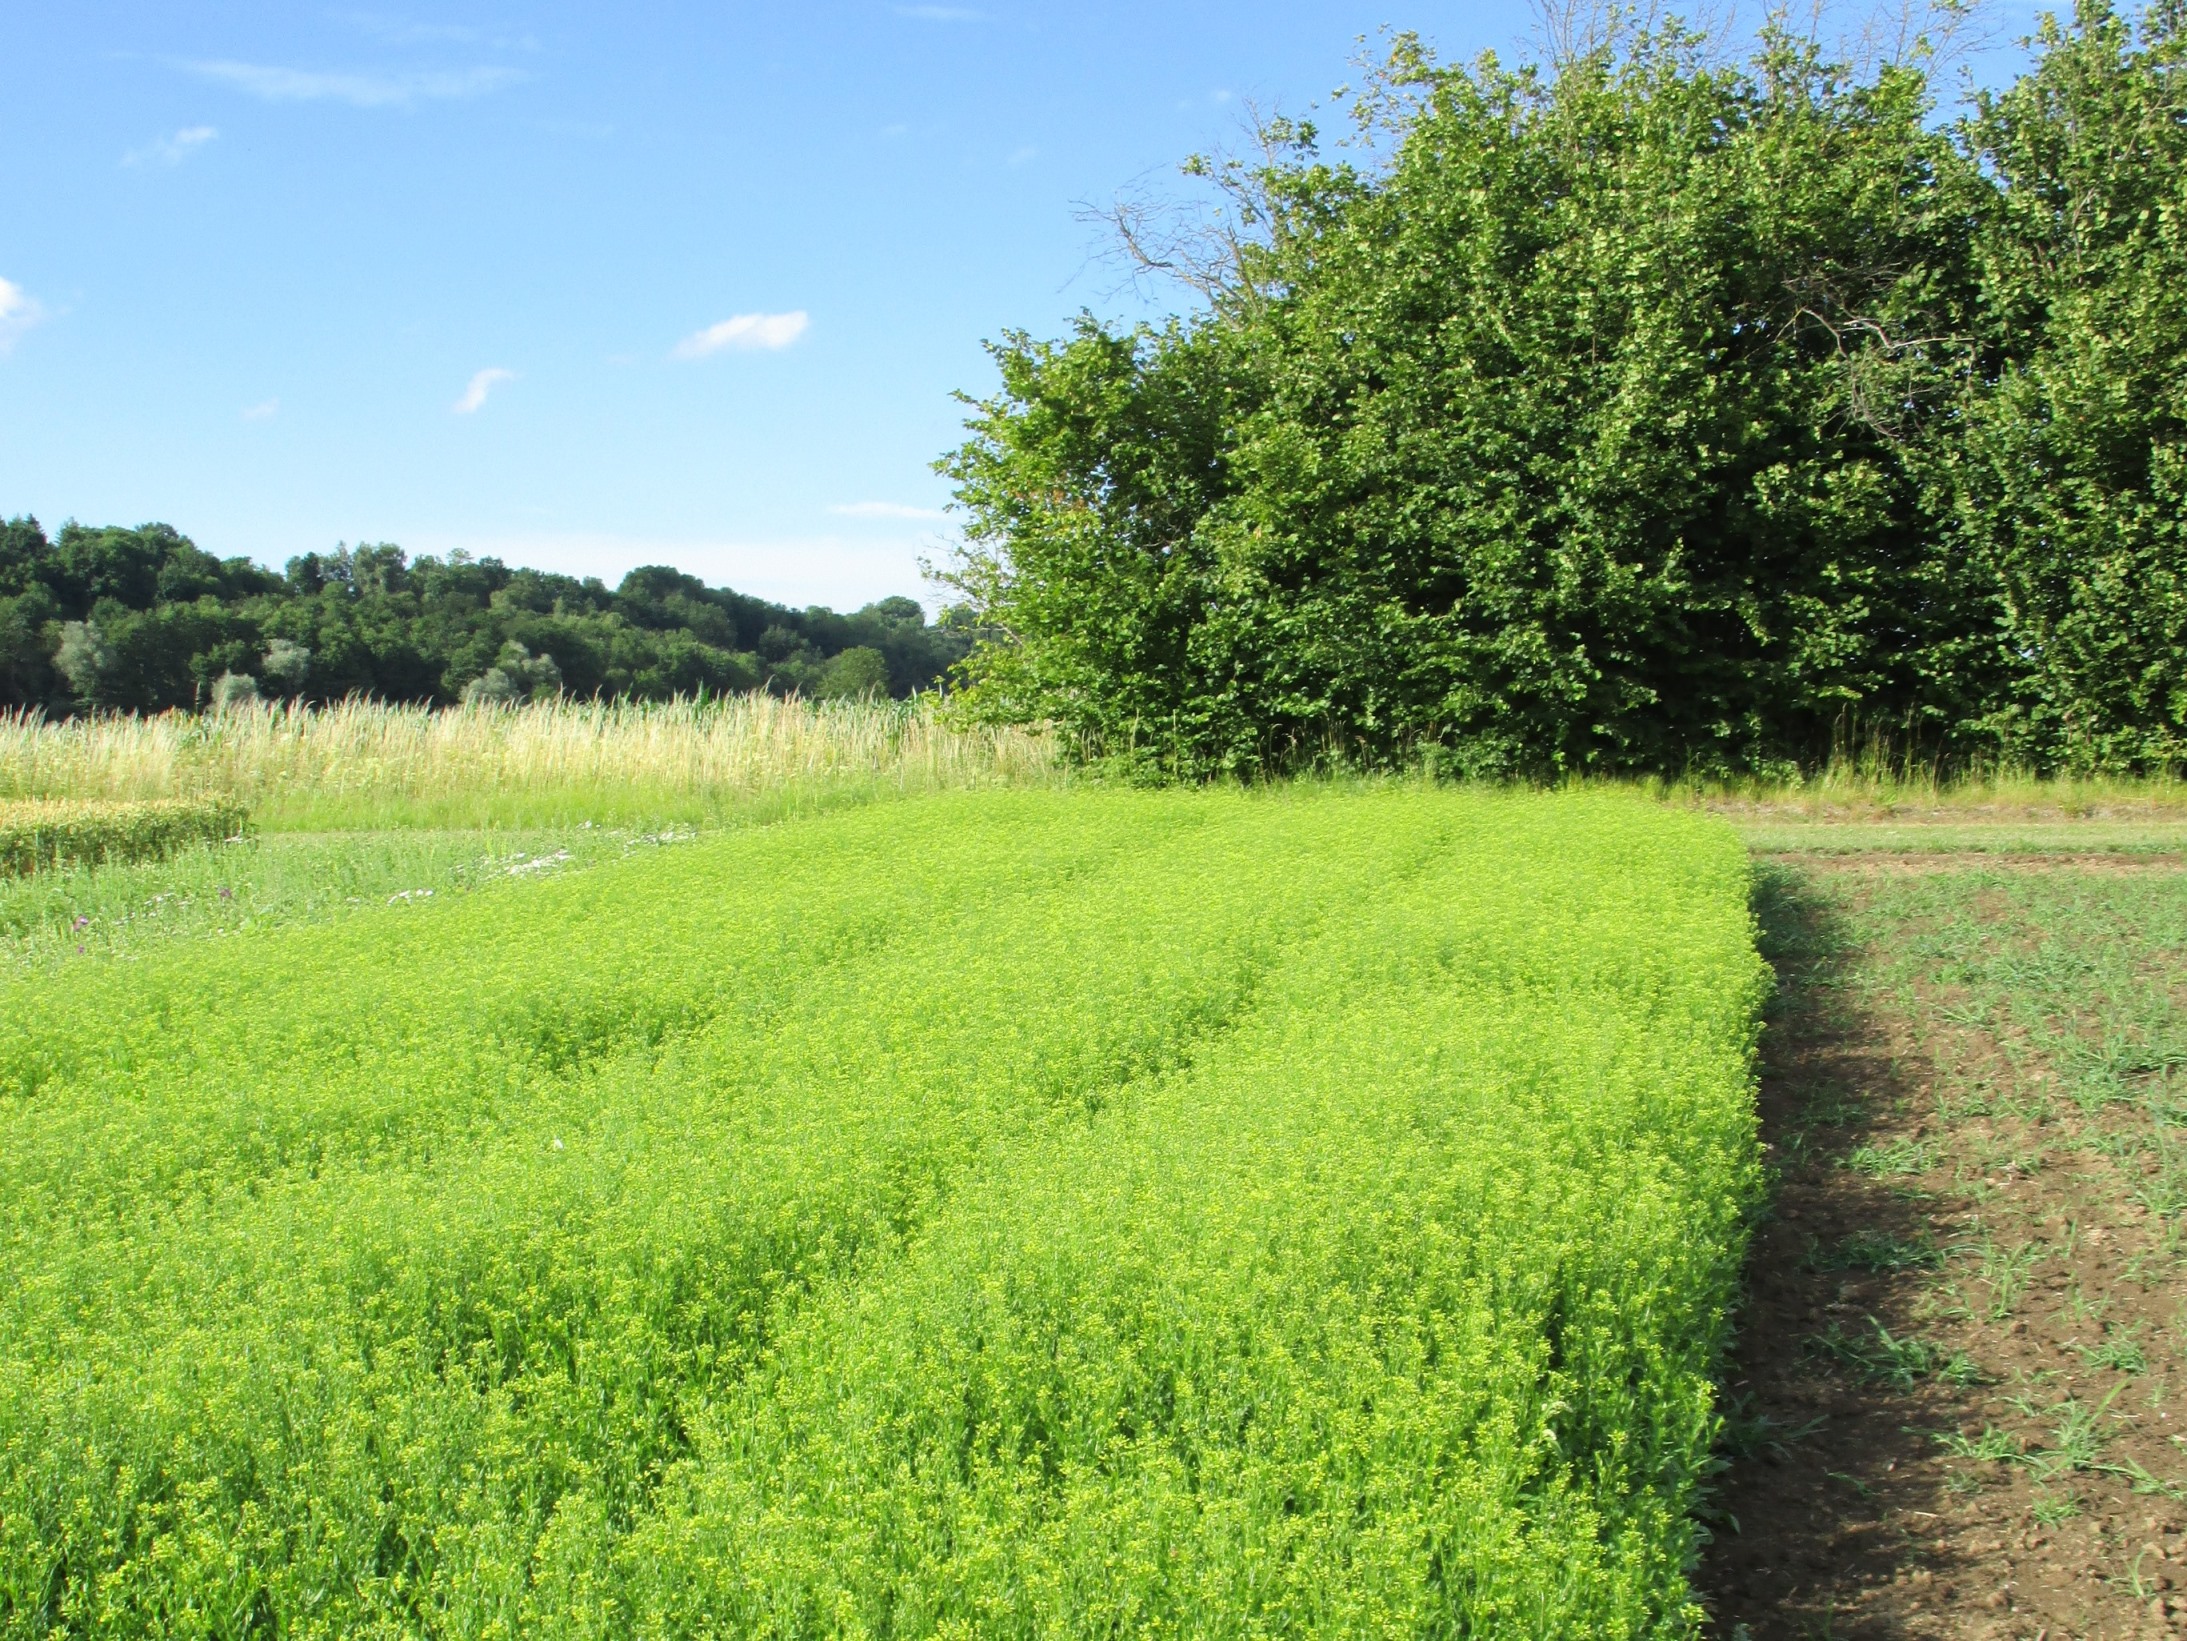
[{"x": 578, "y": 286}]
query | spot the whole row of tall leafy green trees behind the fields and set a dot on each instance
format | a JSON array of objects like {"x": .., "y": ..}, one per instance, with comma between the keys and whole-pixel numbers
[{"x": 1641, "y": 412}]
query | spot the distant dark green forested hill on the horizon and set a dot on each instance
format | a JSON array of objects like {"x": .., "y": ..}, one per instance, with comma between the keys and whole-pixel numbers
[{"x": 148, "y": 620}]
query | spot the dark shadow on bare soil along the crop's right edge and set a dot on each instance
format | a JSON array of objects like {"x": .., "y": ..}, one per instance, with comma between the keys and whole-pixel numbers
[{"x": 1816, "y": 1456}]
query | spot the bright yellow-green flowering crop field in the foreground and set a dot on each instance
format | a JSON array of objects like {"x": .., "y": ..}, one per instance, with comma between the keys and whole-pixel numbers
[{"x": 974, "y": 1215}]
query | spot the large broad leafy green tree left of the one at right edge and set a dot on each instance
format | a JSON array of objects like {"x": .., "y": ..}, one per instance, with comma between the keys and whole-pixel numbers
[{"x": 1578, "y": 439}]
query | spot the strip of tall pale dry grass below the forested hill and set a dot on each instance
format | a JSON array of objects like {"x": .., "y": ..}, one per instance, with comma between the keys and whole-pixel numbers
[{"x": 554, "y": 763}]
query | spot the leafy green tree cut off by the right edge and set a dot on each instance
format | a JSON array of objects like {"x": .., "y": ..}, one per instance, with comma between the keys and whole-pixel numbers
[{"x": 2070, "y": 485}]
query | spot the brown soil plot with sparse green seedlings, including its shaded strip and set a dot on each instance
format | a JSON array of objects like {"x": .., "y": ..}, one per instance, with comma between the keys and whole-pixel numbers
[{"x": 1948, "y": 1408}]
